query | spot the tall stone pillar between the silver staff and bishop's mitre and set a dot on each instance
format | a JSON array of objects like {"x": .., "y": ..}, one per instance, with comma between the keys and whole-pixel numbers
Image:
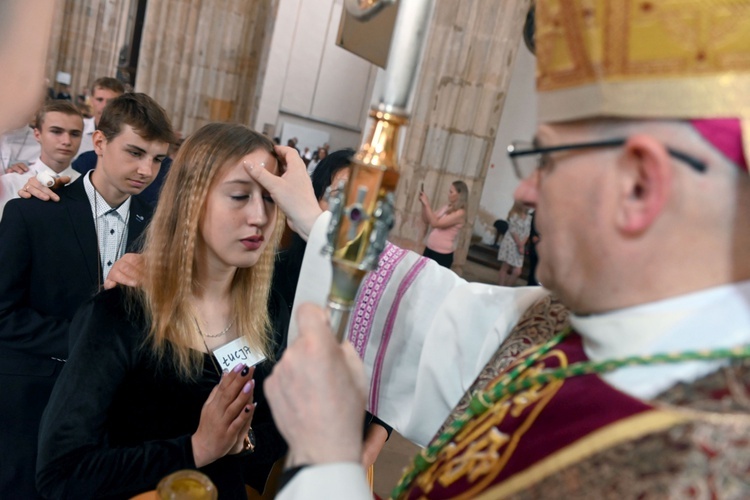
[{"x": 459, "y": 99}]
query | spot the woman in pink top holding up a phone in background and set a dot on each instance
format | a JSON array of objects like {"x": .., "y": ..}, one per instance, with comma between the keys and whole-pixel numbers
[{"x": 445, "y": 224}]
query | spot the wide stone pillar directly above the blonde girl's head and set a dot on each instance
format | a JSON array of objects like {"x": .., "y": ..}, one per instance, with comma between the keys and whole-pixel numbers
[{"x": 204, "y": 60}]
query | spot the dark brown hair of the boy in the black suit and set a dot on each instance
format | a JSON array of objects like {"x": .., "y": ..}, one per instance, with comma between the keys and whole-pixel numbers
[{"x": 148, "y": 119}]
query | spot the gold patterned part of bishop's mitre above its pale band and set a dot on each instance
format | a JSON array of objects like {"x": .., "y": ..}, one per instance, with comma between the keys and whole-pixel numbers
[{"x": 580, "y": 41}]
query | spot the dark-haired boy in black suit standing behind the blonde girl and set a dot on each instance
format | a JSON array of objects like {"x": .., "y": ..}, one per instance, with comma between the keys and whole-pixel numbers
[{"x": 55, "y": 256}]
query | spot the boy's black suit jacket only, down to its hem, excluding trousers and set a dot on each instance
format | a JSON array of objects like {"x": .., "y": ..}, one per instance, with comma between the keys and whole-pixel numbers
[{"x": 50, "y": 256}]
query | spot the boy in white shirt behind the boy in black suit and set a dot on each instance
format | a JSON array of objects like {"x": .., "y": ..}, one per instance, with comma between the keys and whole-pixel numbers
[{"x": 58, "y": 130}]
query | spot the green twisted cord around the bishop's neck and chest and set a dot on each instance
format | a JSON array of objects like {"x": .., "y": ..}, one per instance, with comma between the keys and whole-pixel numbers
[{"x": 510, "y": 384}]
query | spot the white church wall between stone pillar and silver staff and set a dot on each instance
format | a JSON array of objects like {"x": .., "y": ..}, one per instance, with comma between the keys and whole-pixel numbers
[{"x": 312, "y": 82}]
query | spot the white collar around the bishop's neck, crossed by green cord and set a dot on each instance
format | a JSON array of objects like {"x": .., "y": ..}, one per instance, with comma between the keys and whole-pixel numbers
[{"x": 715, "y": 318}]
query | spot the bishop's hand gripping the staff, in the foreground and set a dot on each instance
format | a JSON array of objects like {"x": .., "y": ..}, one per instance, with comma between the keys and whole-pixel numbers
[{"x": 317, "y": 394}]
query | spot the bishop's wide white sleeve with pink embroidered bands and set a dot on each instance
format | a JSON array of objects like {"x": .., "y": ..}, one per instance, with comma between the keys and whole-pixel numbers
[{"x": 423, "y": 332}]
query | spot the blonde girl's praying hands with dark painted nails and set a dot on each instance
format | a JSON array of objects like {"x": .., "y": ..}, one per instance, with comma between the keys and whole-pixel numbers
[{"x": 225, "y": 417}]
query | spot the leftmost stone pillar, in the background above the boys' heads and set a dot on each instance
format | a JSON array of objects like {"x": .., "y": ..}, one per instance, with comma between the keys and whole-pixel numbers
[{"x": 86, "y": 39}]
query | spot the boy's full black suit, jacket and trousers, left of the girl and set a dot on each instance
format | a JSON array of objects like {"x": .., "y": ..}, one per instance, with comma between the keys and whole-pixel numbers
[{"x": 49, "y": 267}]
